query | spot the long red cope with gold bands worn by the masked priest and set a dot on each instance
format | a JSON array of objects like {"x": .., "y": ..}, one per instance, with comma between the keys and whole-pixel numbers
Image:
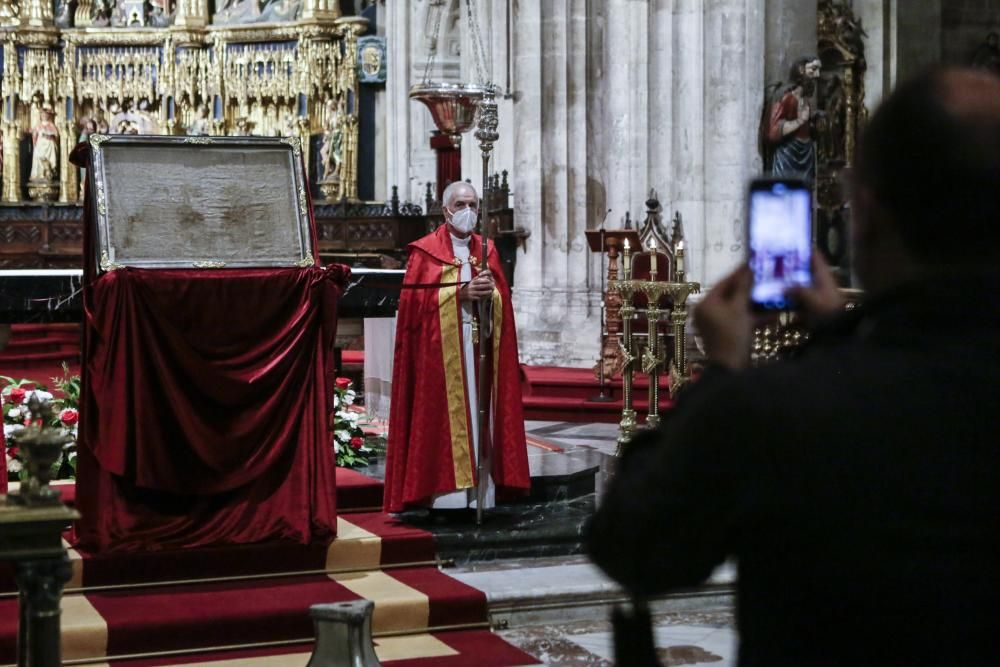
[{"x": 430, "y": 448}]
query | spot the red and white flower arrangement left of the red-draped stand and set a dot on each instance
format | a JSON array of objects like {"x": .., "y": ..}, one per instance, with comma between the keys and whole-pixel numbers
[{"x": 14, "y": 398}]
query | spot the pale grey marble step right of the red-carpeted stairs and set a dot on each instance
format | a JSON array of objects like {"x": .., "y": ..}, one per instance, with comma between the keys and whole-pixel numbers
[{"x": 532, "y": 592}]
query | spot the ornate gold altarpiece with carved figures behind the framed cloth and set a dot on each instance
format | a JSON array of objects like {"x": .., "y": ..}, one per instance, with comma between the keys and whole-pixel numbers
[{"x": 85, "y": 66}]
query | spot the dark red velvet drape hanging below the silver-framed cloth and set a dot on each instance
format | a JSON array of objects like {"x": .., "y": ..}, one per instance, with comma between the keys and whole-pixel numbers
[{"x": 204, "y": 407}]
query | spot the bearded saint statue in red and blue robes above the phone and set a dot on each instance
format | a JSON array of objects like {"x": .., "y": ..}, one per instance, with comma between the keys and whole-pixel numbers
[{"x": 786, "y": 129}]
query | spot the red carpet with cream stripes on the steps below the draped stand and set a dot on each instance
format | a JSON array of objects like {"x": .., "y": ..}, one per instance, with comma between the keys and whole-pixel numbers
[{"x": 265, "y": 598}]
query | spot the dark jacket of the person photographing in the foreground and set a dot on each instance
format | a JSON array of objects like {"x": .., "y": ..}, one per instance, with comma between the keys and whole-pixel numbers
[{"x": 857, "y": 486}]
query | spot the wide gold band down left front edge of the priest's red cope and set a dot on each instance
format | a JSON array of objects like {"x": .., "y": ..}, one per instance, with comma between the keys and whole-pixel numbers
[{"x": 454, "y": 378}]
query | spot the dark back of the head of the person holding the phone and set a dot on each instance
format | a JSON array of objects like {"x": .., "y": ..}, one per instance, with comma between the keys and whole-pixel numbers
[{"x": 931, "y": 157}]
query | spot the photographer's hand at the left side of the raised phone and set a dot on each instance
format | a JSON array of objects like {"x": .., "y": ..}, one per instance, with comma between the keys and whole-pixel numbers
[{"x": 724, "y": 321}]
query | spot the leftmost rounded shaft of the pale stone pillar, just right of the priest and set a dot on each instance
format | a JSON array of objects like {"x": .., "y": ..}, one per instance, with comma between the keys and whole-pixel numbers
[{"x": 555, "y": 306}]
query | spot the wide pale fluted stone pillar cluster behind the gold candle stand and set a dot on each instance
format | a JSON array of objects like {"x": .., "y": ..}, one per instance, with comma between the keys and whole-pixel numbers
[{"x": 663, "y": 94}]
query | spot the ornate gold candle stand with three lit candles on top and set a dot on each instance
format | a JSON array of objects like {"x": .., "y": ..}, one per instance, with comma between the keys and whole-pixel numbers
[{"x": 652, "y": 357}]
